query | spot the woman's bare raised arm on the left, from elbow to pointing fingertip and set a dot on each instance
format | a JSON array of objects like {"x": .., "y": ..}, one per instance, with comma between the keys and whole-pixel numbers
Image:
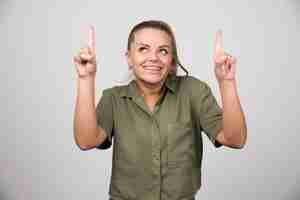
[{"x": 87, "y": 134}]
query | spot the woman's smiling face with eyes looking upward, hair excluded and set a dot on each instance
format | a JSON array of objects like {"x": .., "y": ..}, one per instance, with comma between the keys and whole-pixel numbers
[{"x": 150, "y": 56}]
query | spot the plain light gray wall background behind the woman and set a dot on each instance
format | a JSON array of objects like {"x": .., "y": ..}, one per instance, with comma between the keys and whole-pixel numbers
[{"x": 38, "y": 157}]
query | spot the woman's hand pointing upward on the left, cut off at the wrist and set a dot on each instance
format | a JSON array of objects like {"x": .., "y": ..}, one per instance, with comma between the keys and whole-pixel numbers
[{"x": 85, "y": 61}]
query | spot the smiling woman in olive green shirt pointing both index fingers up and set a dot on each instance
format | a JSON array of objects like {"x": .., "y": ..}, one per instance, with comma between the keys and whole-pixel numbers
[{"x": 157, "y": 119}]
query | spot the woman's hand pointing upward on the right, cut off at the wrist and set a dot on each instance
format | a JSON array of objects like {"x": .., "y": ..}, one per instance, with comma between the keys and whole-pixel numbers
[{"x": 225, "y": 64}]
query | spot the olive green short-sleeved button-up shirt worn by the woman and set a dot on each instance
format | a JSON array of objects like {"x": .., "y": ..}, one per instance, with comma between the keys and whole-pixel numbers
[{"x": 157, "y": 155}]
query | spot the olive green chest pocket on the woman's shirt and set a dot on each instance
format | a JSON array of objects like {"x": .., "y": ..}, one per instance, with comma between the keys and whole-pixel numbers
[{"x": 180, "y": 143}]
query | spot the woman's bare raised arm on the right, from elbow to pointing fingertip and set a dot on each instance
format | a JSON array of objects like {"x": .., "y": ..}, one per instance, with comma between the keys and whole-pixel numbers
[{"x": 234, "y": 131}]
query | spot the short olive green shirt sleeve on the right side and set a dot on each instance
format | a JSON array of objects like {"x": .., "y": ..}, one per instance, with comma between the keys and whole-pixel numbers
[{"x": 208, "y": 112}]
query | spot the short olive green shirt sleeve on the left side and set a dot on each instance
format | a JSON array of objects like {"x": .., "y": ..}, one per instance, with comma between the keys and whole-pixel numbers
[{"x": 104, "y": 114}]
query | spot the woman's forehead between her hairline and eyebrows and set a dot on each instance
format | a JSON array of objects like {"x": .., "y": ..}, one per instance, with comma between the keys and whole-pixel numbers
[{"x": 152, "y": 36}]
